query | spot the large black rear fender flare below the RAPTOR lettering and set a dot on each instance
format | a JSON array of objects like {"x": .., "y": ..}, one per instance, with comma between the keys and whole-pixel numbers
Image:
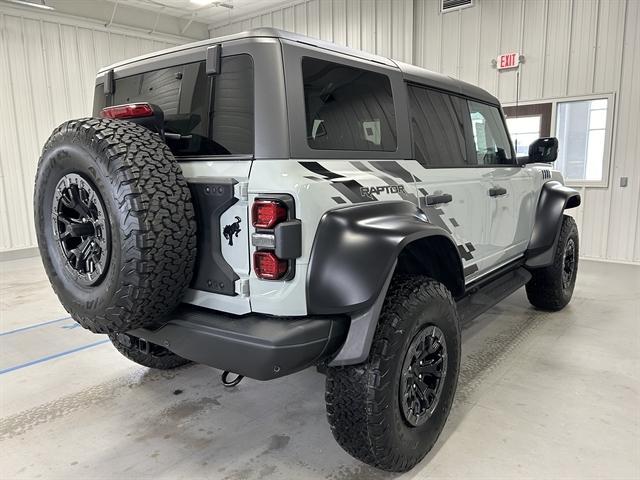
[{"x": 354, "y": 256}]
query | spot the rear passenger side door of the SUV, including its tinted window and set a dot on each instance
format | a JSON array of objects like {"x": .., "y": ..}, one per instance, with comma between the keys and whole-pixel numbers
[{"x": 452, "y": 192}]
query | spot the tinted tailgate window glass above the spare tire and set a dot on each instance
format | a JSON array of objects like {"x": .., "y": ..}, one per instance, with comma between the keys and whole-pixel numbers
[{"x": 199, "y": 122}]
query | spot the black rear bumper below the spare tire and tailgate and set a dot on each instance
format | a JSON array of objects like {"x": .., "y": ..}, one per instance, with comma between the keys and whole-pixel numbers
[{"x": 255, "y": 346}]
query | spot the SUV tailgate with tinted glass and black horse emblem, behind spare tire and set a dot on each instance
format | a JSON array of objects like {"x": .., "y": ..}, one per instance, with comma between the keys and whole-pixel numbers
[{"x": 209, "y": 127}]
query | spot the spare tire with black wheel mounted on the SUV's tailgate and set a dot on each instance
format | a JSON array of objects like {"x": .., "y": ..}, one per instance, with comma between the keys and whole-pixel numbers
[{"x": 115, "y": 224}]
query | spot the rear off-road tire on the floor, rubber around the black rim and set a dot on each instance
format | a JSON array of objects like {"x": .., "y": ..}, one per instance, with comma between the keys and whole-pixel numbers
[{"x": 363, "y": 401}]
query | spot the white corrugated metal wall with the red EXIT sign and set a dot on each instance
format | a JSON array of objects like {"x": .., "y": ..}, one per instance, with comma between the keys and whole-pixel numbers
[{"x": 572, "y": 48}]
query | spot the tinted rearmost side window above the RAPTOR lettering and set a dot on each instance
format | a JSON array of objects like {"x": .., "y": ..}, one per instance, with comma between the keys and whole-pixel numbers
[{"x": 347, "y": 108}]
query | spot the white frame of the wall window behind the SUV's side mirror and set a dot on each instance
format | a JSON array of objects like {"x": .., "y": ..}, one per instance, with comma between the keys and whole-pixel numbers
[{"x": 609, "y": 131}]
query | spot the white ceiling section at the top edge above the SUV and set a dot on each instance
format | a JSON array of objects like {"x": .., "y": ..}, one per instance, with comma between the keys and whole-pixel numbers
[{"x": 215, "y": 12}]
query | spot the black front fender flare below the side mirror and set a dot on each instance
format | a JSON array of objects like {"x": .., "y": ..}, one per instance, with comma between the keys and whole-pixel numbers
[{"x": 554, "y": 199}]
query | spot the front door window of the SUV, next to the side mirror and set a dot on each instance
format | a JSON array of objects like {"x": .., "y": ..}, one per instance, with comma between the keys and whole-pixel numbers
[{"x": 489, "y": 135}]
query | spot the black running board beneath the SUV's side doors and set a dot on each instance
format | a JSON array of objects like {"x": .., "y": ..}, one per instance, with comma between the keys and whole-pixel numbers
[{"x": 481, "y": 298}]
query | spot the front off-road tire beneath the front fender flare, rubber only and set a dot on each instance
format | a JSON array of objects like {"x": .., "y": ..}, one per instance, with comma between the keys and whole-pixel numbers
[{"x": 546, "y": 289}]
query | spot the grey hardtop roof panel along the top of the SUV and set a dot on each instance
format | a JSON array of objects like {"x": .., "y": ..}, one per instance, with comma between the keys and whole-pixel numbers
[{"x": 411, "y": 73}]
